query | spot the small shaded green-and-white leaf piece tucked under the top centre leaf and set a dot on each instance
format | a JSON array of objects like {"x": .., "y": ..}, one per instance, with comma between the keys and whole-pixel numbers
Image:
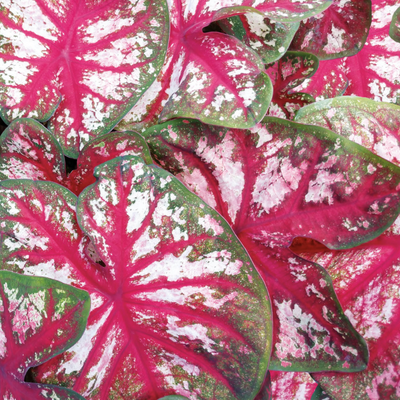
[{"x": 270, "y": 39}]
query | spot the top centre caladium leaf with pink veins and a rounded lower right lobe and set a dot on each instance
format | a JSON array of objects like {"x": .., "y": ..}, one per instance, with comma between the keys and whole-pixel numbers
[{"x": 212, "y": 76}]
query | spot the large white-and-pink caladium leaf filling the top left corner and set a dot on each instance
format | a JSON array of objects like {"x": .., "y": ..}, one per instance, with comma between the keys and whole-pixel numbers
[{"x": 99, "y": 60}]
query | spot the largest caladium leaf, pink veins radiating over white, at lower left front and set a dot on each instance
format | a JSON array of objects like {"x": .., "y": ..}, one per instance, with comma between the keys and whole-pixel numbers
[{"x": 178, "y": 307}]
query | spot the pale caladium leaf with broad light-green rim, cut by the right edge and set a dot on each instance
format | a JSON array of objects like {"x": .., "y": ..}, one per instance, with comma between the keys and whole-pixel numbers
[{"x": 374, "y": 125}]
